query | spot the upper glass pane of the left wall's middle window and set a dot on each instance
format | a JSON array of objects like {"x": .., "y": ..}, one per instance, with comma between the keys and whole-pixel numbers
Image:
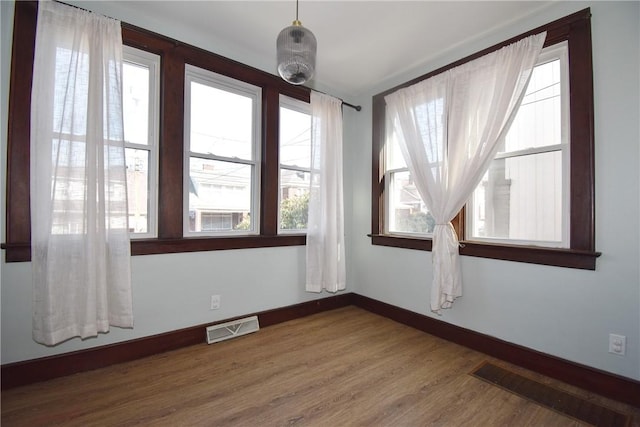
[{"x": 221, "y": 122}]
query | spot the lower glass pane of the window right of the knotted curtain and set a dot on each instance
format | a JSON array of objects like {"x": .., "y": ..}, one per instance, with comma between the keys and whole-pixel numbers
[{"x": 520, "y": 198}]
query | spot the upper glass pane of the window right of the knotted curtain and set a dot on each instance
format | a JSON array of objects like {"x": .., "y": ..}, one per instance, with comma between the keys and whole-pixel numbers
[{"x": 538, "y": 121}]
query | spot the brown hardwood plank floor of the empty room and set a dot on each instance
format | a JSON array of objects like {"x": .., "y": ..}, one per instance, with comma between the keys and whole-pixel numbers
[{"x": 339, "y": 368}]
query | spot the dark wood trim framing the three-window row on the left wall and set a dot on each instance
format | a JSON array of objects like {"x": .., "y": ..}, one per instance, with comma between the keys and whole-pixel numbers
[{"x": 174, "y": 55}]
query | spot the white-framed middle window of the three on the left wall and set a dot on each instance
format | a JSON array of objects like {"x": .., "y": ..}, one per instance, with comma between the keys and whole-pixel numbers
[{"x": 222, "y": 119}]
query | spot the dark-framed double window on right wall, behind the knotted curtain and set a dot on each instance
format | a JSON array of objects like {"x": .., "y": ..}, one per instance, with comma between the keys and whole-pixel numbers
[{"x": 512, "y": 215}]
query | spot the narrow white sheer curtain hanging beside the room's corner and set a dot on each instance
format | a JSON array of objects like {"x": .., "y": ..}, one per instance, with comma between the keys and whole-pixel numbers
[{"x": 325, "y": 226}]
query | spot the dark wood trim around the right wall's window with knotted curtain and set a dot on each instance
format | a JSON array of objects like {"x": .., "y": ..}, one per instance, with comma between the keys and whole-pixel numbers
[{"x": 576, "y": 30}]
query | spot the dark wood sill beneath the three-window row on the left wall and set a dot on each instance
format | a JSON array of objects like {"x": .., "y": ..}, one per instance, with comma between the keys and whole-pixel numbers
[{"x": 21, "y": 252}]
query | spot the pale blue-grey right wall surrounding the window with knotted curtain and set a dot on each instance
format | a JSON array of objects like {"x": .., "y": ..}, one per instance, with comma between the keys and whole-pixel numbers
[{"x": 563, "y": 312}]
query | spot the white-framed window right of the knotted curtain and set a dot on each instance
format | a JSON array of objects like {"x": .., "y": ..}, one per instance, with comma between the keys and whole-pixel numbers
[{"x": 524, "y": 196}]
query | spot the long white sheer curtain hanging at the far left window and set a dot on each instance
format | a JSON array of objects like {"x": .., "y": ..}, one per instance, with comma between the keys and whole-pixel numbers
[{"x": 79, "y": 231}]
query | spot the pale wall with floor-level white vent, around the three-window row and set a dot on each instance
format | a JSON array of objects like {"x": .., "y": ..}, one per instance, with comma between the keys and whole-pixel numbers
[{"x": 170, "y": 291}]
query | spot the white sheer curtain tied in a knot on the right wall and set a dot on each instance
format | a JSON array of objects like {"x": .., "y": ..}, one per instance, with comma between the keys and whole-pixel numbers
[{"x": 449, "y": 127}]
